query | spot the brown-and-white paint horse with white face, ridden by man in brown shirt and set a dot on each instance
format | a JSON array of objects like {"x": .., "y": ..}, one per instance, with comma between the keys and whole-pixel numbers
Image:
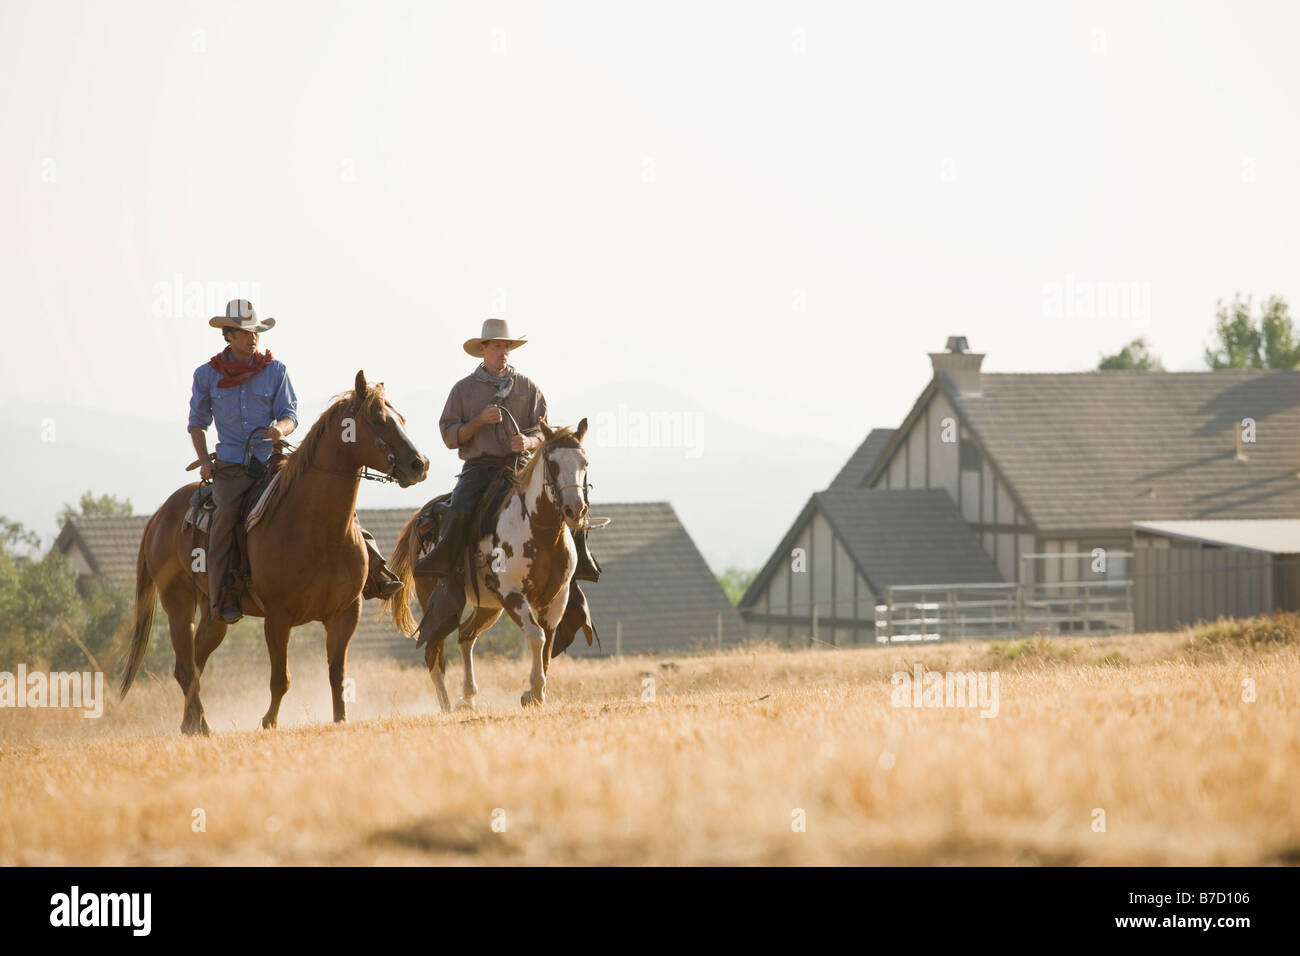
[{"x": 525, "y": 568}]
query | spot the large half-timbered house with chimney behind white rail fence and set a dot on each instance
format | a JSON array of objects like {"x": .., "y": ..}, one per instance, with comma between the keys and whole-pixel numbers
[{"x": 1046, "y": 475}]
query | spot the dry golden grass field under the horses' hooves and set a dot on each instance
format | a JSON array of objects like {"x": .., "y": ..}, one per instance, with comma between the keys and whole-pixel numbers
[{"x": 1154, "y": 730}]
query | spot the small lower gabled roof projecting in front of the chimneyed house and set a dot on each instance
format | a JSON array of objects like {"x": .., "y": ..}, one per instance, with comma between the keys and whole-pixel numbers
[{"x": 894, "y": 537}]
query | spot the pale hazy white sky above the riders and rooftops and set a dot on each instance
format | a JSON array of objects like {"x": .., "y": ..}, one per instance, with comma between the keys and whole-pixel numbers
[{"x": 777, "y": 209}]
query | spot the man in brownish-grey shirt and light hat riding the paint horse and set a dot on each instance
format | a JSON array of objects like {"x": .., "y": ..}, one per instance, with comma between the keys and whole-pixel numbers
[{"x": 473, "y": 425}]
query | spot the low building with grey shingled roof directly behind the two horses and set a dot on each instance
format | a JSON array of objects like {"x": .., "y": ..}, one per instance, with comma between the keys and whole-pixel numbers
[{"x": 656, "y": 594}]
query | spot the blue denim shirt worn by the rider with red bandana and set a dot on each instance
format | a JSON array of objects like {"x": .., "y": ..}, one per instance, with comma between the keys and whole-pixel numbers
[{"x": 261, "y": 401}]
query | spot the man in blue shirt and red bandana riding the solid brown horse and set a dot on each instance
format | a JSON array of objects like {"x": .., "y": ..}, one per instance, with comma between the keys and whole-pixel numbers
[{"x": 244, "y": 391}]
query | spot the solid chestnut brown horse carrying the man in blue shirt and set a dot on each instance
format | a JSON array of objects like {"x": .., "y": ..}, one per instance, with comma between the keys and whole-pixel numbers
[{"x": 306, "y": 555}]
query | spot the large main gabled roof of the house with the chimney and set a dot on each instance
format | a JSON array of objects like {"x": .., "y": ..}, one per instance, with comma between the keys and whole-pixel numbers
[{"x": 1098, "y": 451}]
